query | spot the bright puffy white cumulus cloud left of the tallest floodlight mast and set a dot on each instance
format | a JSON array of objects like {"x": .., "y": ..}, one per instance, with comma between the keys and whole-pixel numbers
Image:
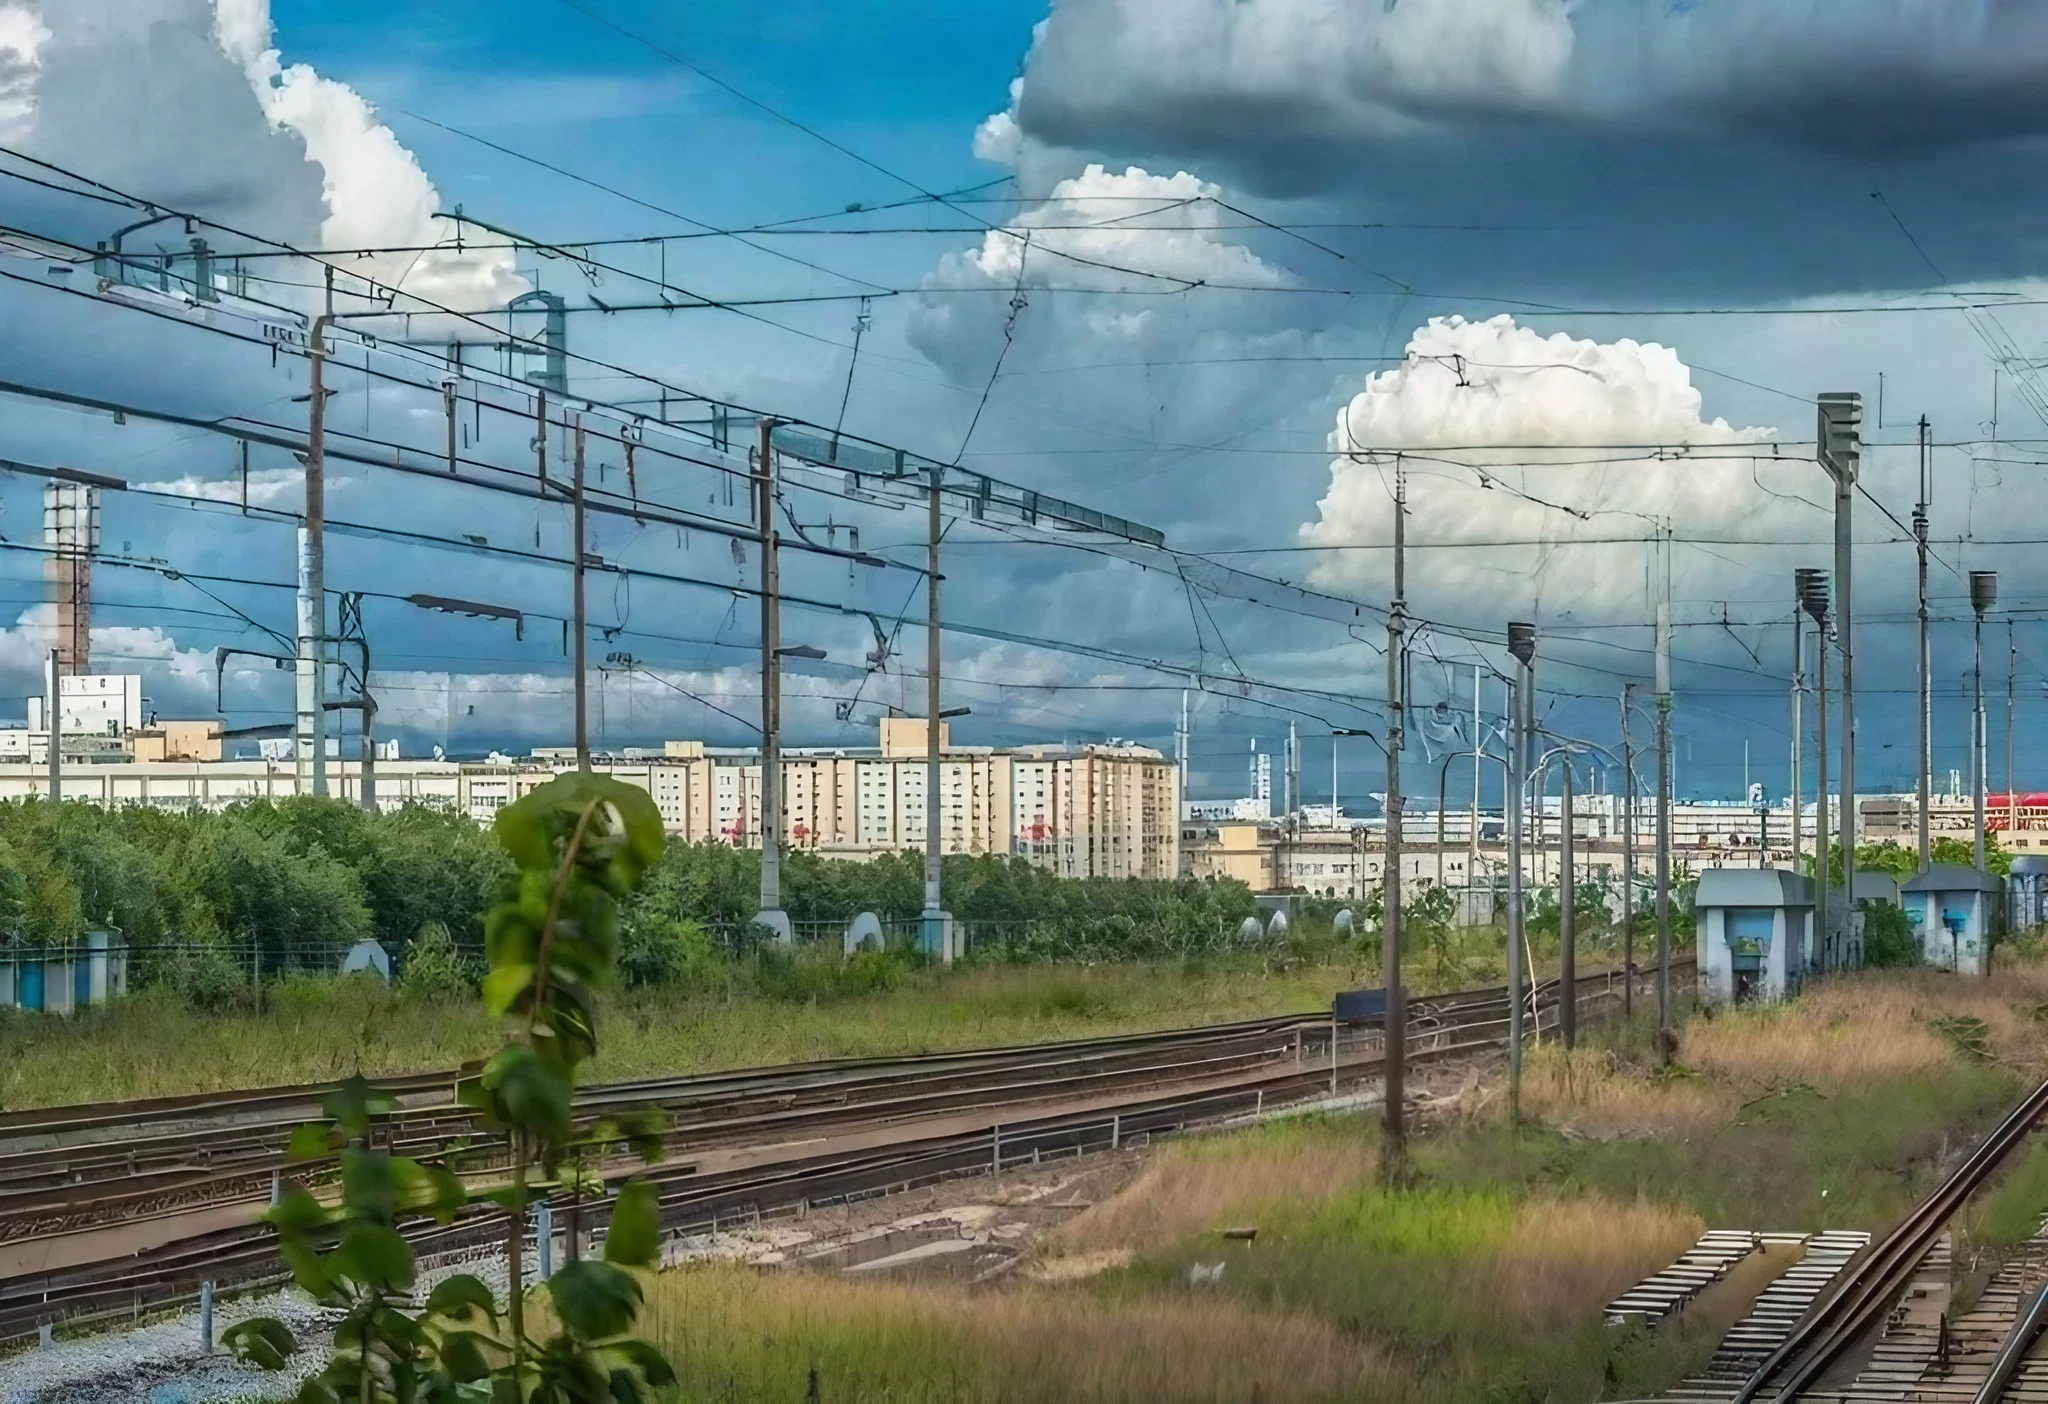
[{"x": 1514, "y": 437}]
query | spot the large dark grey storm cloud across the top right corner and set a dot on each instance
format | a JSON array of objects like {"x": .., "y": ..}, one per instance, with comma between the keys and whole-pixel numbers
[{"x": 1644, "y": 150}]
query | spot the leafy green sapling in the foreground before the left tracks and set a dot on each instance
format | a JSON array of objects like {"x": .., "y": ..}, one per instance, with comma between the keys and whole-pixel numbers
[{"x": 579, "y": 846}]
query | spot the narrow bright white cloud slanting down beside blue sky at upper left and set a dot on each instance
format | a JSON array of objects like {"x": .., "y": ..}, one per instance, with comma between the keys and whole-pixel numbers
[{"x": 376, "y": 191}]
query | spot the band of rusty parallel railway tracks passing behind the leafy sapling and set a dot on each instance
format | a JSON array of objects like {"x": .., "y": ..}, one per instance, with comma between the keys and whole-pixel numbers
[{"x": 744, "y": 1145}]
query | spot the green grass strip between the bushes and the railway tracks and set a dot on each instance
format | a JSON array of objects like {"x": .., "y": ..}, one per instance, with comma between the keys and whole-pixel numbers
[{"x": 157, "y": 1045}]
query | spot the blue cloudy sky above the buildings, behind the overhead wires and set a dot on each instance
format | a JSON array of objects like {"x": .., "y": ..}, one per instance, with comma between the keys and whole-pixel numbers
[{"x": 1228, "y": 269}]
